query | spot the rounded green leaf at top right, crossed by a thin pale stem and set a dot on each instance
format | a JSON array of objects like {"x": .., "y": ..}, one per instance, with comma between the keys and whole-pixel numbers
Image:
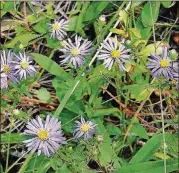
[{"x": 150, "y": 13}]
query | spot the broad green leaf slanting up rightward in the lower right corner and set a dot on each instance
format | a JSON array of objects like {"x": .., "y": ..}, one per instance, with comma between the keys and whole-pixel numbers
[{"x": 148, "y": 150}]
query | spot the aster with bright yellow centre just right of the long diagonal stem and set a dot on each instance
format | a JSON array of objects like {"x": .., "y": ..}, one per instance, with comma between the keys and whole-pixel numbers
[{"x": 113, "y": 52}]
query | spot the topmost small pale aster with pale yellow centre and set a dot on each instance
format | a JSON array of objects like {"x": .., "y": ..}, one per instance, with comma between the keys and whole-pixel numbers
[{"x": 58, "y": 29}]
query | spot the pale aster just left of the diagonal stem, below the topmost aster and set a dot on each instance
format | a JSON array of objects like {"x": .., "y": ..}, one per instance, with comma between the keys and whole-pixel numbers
[{"x": 75, "y": 52}]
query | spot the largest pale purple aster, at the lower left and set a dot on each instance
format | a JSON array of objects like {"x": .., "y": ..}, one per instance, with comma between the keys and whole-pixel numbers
[{"x": 47, "y": 137}]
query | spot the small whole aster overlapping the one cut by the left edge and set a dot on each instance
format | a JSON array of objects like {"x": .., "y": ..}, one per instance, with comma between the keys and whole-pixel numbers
[{"x": 24, "y": 66}]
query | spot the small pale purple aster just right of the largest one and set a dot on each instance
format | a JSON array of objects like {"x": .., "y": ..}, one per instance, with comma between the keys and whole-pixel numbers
[{"x": 84, "y": 128}]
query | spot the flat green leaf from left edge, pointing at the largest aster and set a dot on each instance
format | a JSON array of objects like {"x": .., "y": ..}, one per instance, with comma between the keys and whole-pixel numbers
[{"x": 13, "y": 138}]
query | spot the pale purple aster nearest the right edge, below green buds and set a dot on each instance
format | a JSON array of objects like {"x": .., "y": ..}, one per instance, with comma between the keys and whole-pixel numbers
[{"x": 161, "y": 65}]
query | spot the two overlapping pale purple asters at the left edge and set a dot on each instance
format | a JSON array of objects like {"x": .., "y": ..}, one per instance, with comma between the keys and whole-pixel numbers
[{"x": 15, "y": 67}]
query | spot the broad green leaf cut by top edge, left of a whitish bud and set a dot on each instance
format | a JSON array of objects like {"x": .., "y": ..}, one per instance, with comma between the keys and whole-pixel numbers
[{"x": 94, "y": 10}]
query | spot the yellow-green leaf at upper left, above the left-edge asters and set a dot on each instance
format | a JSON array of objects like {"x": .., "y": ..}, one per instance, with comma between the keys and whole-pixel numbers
[{"x": 23, "y": 39}]
